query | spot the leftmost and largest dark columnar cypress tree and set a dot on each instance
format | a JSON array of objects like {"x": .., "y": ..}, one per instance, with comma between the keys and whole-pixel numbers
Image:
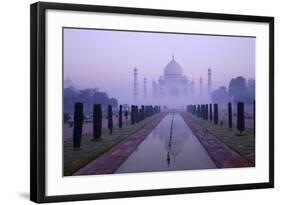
[{"x": 78, "y": 124}]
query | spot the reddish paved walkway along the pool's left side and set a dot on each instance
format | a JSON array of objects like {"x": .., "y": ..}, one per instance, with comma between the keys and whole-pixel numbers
[{"x": 109, "y": 162}]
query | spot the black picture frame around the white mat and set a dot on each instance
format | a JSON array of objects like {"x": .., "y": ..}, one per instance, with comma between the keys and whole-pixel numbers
[{"x": 38, "y": 101}]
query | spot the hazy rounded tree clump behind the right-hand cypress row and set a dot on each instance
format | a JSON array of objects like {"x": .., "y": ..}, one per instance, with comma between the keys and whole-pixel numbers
[{"x": 238, "y": 91}]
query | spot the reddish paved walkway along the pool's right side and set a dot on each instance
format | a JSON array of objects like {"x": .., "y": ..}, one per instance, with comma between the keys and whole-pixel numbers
[{"x": 221, "y": 154}]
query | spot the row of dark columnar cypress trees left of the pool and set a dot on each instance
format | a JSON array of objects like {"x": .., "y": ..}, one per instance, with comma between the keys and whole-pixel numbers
[{"x": 136, "y": 113}]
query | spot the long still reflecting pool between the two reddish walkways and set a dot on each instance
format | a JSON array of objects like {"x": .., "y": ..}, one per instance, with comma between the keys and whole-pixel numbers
[{"x": 170, "y": 146}]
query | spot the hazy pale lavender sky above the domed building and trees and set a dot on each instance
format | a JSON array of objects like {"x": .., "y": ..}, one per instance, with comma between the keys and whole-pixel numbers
[{"x": 105, "y": 59}]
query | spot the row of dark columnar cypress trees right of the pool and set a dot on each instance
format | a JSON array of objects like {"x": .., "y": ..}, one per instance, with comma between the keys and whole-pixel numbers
[{"x": 211, "y": 112}]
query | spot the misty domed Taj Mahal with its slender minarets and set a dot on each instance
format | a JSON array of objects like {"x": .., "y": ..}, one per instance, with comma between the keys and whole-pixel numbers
[{"x": 172, "y": 84}]
